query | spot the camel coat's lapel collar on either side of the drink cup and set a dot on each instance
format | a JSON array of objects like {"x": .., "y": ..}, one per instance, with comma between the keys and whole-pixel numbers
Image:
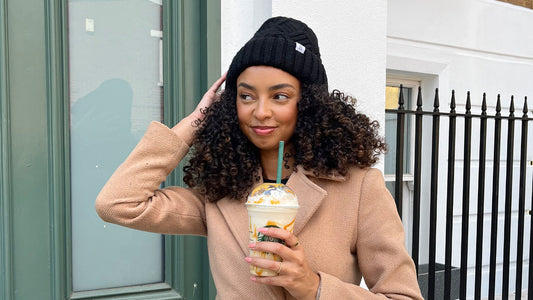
[{"x": 309, "y": 194}]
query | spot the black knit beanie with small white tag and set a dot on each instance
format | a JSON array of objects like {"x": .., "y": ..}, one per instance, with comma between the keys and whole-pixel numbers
[{"x": 283, "y": 43}]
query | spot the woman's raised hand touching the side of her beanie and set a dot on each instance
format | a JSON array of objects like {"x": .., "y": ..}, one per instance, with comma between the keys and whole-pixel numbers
[{"x": 185, "y": 129}]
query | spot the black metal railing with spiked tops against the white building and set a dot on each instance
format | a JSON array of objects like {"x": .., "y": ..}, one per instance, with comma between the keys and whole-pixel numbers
[{"x": 431, "y": 171}]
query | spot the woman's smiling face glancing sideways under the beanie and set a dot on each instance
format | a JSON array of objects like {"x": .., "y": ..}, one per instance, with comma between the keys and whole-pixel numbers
[{"x": 267, "y": 109}]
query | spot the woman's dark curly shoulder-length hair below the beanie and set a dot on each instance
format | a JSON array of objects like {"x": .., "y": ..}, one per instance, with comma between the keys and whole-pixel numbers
[{"x": 330, "y": 136}]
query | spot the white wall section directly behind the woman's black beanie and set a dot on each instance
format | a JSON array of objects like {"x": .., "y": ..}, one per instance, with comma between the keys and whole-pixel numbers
[{"x": 351, "y": 35}]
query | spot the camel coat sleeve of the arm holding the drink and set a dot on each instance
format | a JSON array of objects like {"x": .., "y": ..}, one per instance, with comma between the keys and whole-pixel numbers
[{"x": 387, "y": 268}]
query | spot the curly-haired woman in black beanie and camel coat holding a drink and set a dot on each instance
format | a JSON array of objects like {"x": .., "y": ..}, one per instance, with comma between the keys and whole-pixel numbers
[{"x": 347, "y": 225}]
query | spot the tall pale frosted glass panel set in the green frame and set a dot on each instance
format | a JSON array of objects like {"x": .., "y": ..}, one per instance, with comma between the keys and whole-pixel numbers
[{"x": 115, "y": 91}]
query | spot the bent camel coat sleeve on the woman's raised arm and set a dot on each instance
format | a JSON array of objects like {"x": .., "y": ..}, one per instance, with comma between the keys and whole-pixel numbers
[{"x": 132, "y": 196}]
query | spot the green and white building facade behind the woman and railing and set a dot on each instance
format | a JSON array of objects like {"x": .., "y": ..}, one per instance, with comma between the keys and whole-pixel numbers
[{"x": 81, "y": 79}]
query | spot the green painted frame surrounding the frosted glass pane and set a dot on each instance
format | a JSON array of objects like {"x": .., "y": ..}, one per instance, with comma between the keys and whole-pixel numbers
[{"x": 35, "y": 223}]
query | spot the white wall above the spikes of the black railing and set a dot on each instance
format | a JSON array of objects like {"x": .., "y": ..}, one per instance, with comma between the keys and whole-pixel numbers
[{"x": 473, "y": 45}]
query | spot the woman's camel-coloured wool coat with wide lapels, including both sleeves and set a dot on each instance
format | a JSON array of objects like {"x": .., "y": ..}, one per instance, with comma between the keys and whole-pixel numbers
[{"x": 348, "y": 226}]
